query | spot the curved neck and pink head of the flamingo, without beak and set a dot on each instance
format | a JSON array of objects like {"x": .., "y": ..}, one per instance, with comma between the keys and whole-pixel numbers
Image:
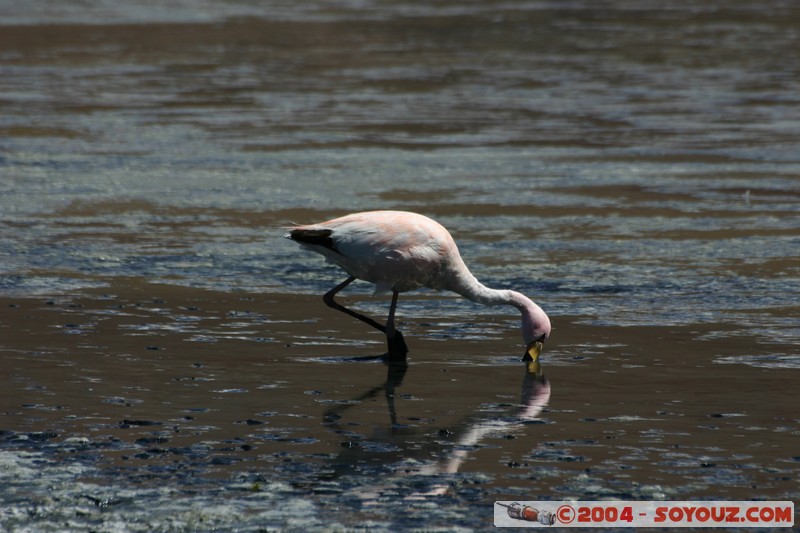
[{"x": 535, "y": 321}]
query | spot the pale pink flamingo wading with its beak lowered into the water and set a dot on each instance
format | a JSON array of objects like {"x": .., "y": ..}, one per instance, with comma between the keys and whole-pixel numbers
[{"x": 399, "y": 251}]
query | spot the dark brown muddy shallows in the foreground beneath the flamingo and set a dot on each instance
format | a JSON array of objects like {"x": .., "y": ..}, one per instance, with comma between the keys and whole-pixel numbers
[{"x": 157, "y": 408}]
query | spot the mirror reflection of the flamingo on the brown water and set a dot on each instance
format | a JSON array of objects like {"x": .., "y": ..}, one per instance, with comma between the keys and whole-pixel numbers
[{"x": 535, "y": 395}]
